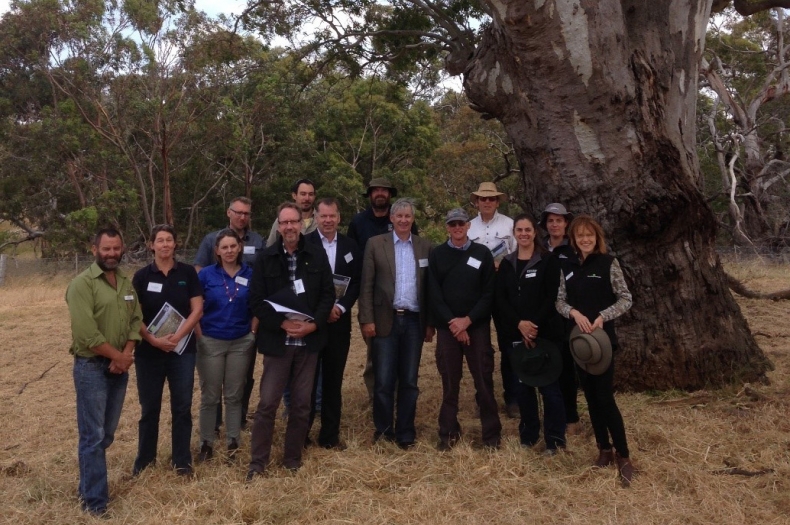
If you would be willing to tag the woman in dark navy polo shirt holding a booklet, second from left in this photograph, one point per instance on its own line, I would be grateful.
(166, 280)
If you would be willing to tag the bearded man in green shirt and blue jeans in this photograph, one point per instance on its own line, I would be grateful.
(105, 326)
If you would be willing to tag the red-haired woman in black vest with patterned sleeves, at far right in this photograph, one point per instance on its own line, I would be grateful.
(593, 293)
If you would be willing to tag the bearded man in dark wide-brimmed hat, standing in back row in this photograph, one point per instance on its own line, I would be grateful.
(373, 220)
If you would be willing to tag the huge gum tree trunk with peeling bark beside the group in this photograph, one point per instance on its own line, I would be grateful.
(598, 97)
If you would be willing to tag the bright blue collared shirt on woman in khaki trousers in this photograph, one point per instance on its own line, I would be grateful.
(226, 313)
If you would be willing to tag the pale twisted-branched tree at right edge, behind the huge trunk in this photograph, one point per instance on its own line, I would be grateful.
(745, 116)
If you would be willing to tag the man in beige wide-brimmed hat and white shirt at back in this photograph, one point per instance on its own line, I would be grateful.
(495, 231)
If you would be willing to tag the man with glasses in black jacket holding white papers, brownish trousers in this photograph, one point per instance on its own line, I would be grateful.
(289, 346)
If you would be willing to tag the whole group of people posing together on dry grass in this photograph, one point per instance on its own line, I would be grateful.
(290, 298)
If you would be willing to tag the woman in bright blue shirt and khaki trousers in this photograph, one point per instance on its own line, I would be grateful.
(225, 347)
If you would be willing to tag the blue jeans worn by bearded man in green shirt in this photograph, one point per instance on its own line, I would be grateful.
(100, 397)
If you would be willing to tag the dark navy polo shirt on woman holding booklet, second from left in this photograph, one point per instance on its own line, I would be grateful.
(178, 287)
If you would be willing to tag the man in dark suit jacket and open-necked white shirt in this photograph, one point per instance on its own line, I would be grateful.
(346, 262)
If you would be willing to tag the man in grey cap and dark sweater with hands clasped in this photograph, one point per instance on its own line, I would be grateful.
(461, 295)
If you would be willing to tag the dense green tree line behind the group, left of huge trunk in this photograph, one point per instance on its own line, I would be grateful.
(135, 114)
